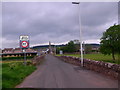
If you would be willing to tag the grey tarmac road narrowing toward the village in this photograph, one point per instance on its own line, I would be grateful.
(54, 73)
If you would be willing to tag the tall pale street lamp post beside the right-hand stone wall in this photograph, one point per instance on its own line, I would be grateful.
(81, 49)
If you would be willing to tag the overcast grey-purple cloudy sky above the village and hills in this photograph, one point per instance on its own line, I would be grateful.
(57, 22)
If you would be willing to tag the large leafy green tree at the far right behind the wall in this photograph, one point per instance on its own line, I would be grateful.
(110, 41)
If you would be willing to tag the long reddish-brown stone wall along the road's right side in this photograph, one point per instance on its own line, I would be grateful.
(108, 69)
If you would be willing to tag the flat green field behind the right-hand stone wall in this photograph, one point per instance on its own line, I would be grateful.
(97, 57)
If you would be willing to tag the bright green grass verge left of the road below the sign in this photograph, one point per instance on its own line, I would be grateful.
(14, 73)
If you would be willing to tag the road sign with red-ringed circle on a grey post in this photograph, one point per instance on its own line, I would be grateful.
(24, 44)
